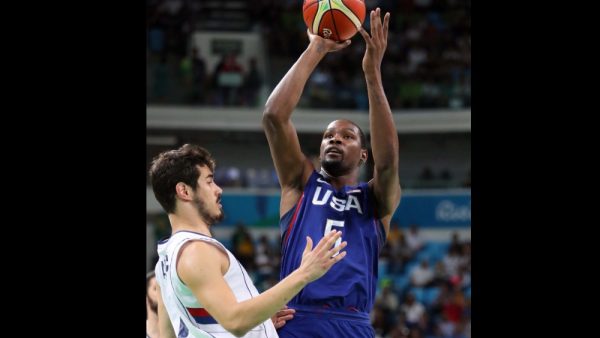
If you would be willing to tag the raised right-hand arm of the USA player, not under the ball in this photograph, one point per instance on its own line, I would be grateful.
(384, 137)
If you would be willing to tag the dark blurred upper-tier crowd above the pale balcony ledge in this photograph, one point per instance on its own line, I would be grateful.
(427, 63)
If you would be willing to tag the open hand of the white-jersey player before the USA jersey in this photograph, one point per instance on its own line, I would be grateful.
(317, 262)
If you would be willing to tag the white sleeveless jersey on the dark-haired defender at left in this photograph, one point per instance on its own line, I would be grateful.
(188, 317)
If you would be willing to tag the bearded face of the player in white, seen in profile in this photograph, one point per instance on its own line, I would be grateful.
(208, 197)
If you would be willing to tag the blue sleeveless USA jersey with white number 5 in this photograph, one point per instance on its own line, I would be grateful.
(349, 286)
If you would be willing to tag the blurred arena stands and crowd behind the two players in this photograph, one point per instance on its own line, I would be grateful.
(210, 66)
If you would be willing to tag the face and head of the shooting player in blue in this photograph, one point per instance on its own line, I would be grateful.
(340, 148)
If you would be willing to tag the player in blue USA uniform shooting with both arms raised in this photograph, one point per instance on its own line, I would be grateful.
(317, 201)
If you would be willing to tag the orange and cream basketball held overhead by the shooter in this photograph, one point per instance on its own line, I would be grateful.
(337, 20)
